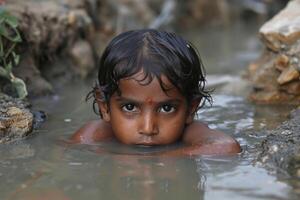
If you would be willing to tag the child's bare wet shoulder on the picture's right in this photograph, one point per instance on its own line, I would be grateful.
(200, 139)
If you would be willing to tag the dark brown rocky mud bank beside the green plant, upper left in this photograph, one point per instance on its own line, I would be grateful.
(50, 30)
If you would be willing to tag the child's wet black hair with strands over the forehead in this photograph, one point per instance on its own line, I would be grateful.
(156, 53)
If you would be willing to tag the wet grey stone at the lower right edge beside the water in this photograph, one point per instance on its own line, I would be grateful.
(280, 151)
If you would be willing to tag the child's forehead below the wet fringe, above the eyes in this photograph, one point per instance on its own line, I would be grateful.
(143, 89)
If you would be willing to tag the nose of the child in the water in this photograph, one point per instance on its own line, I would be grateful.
(148, 125)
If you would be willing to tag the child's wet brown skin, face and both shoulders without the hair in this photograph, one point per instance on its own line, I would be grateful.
(143, 114)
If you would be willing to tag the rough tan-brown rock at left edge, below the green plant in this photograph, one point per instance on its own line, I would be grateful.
(16, 121)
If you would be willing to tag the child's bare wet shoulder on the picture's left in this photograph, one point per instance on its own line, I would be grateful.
(91, 132)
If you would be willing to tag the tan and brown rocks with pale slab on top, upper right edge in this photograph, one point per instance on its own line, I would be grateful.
(275, 76)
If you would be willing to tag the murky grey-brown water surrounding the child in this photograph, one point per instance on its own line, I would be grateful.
(41, 167)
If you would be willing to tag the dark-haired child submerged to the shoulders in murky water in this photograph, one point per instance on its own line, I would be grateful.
(151, 84)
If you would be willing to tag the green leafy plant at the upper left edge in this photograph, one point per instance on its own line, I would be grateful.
(9, 37)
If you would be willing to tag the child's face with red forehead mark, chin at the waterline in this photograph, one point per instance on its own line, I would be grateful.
(145, 114)
